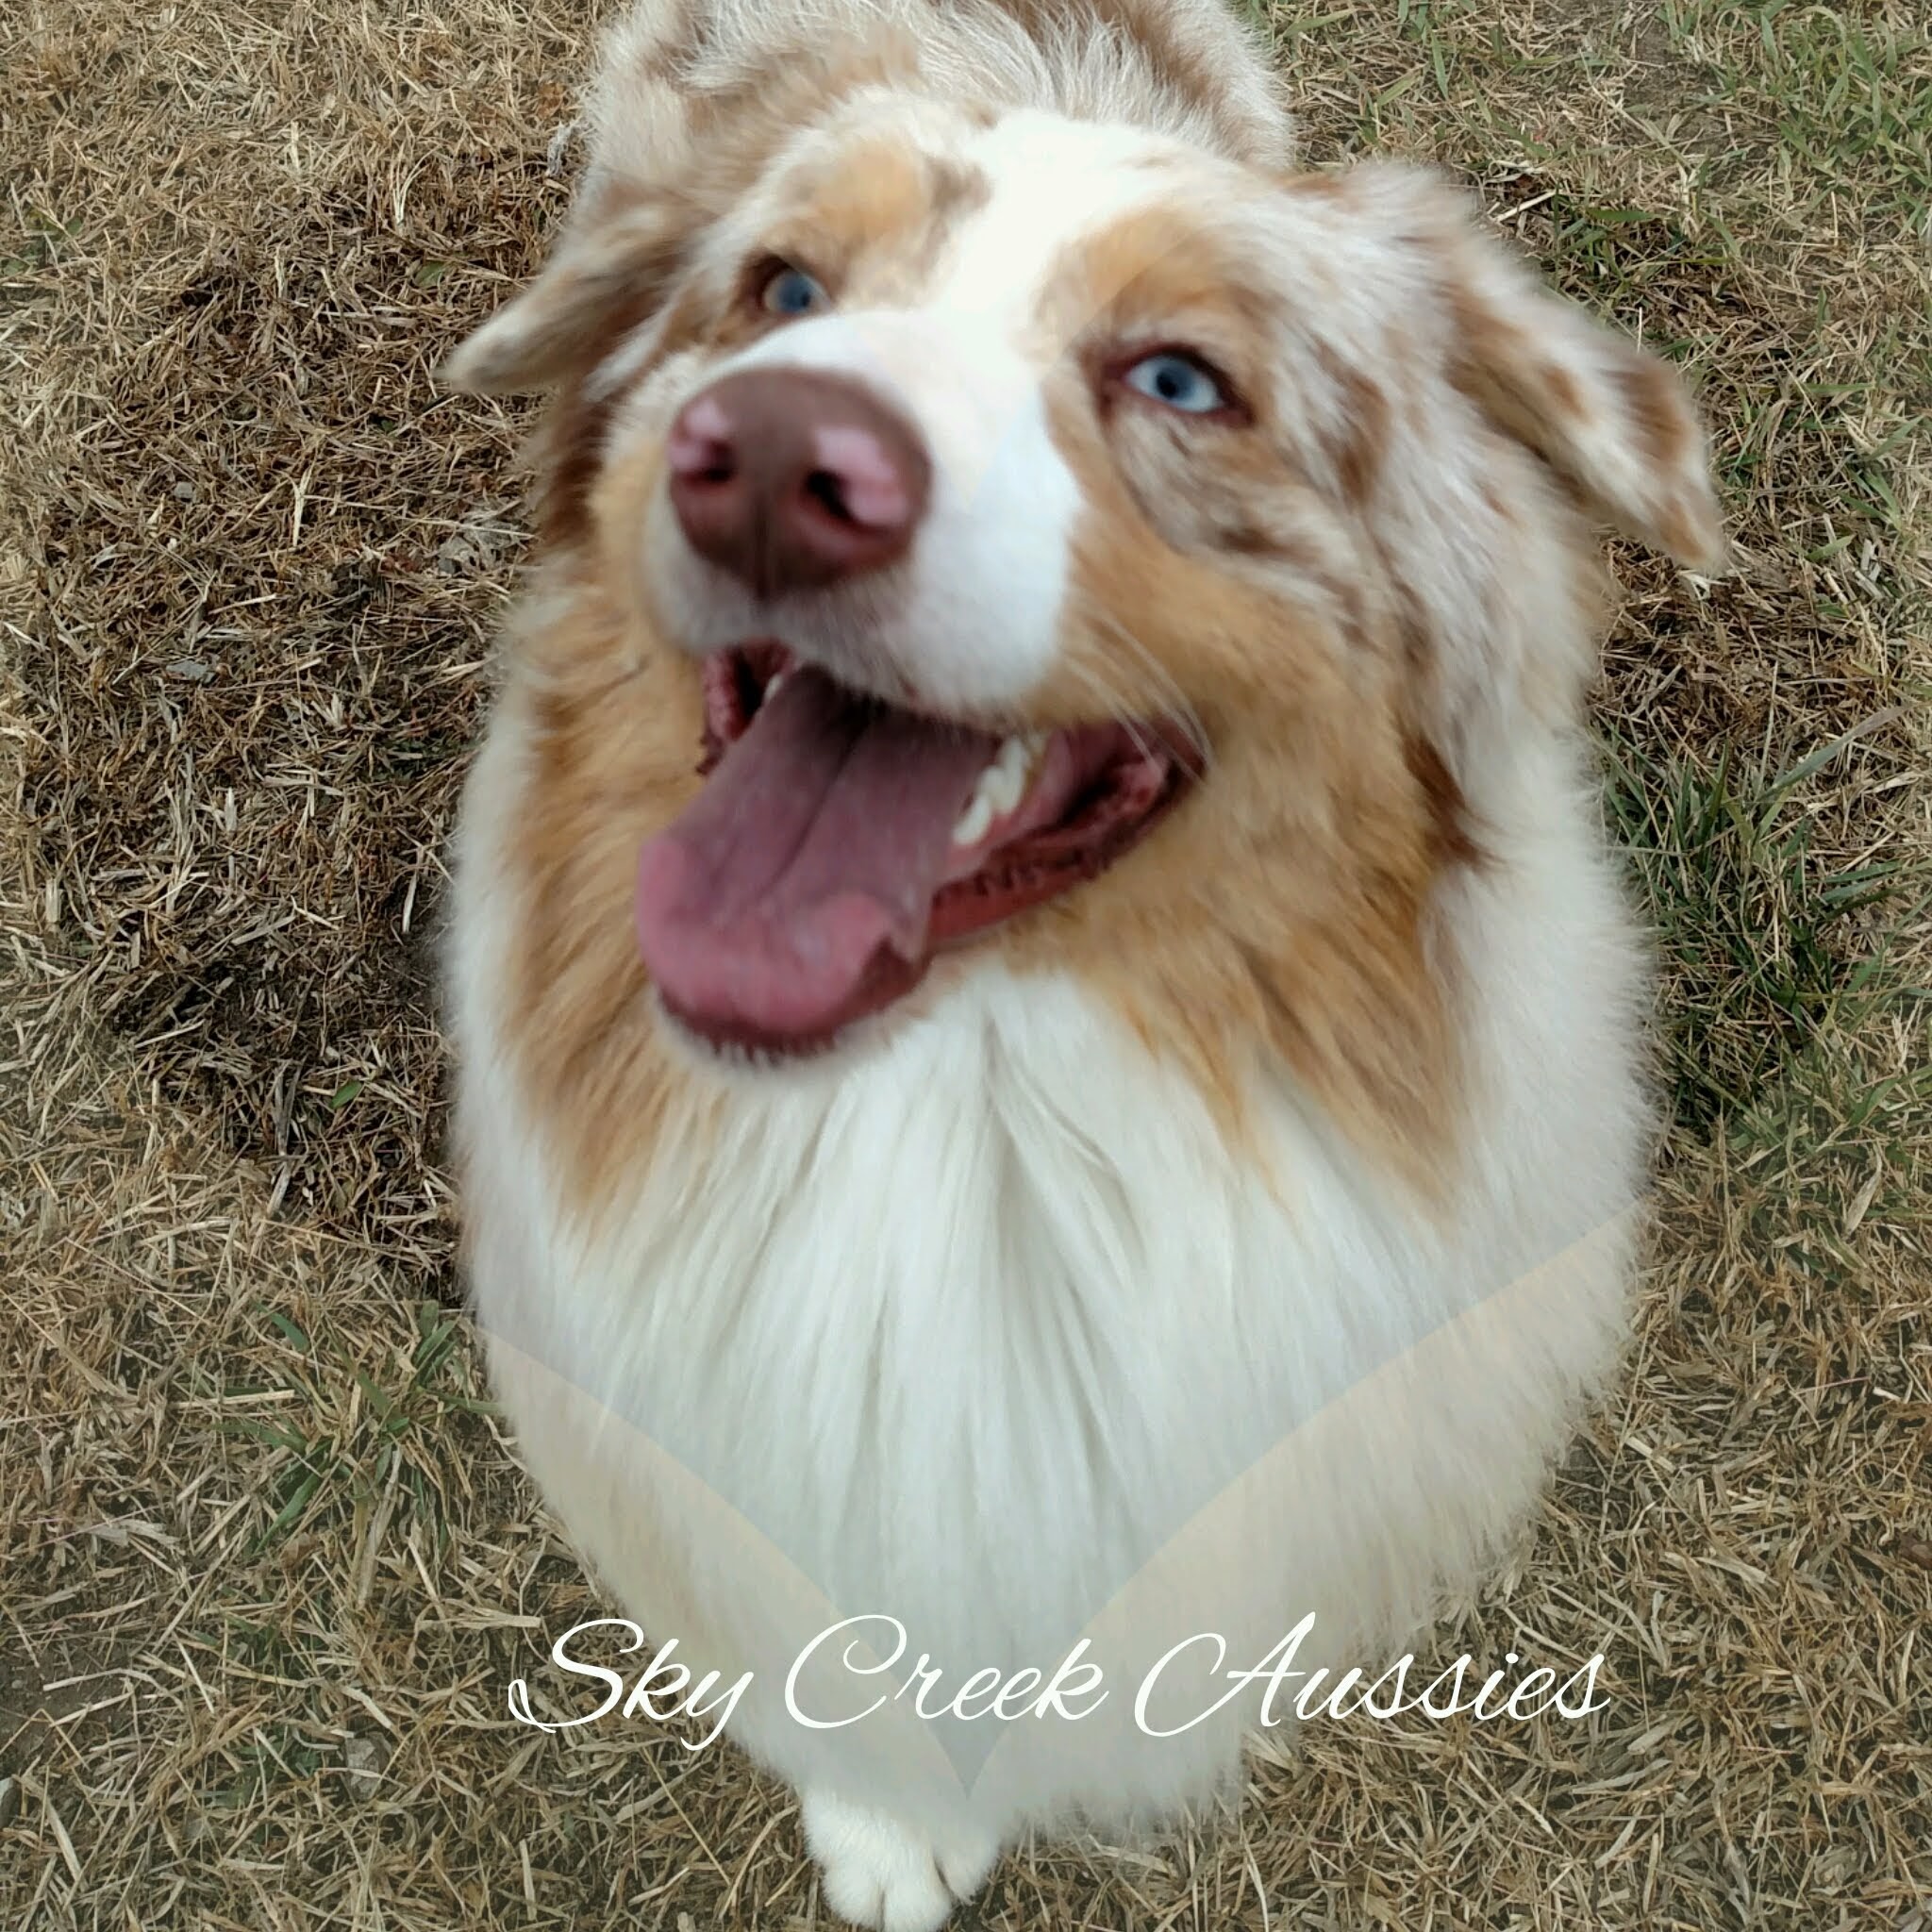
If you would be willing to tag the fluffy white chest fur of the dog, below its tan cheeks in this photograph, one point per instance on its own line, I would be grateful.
(996, 1334)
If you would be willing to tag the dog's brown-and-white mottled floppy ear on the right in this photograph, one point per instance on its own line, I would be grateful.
(1616, 422)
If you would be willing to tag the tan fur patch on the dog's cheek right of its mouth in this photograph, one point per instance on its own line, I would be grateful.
(1288, 897)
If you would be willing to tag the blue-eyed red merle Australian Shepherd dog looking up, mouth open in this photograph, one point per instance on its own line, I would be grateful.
(1048, 1048)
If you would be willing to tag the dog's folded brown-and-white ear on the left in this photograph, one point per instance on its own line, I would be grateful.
(604, 281)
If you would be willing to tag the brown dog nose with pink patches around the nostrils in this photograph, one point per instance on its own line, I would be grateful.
(793, 478)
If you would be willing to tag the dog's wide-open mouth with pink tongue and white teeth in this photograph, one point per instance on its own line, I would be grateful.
(839, 843)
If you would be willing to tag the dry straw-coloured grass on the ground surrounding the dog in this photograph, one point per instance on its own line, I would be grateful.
(266, 1560)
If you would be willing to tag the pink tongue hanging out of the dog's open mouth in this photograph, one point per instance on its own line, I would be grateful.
(795, 894)
